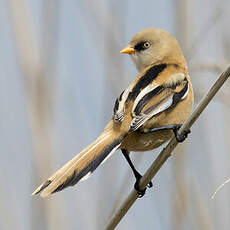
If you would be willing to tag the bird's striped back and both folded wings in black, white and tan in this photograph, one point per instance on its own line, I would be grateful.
(160, 88)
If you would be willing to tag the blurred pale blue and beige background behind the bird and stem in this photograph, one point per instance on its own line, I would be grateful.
(60, 73)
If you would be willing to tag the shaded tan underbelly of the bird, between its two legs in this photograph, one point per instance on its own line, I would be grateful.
(137, 141)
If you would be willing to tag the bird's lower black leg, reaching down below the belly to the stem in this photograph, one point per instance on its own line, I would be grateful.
(138, 176)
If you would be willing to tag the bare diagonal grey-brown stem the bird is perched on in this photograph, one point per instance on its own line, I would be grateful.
(166, 152)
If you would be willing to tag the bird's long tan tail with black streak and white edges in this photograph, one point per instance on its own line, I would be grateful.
(82, 165)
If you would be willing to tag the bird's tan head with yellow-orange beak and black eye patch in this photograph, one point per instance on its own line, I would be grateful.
(153, 45)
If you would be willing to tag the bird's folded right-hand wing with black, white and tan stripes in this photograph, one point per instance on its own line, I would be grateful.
(156, 98)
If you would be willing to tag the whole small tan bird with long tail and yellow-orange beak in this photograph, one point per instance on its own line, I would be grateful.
(146, 114)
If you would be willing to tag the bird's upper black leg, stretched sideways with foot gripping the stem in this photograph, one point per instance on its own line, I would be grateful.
(174, 127)
